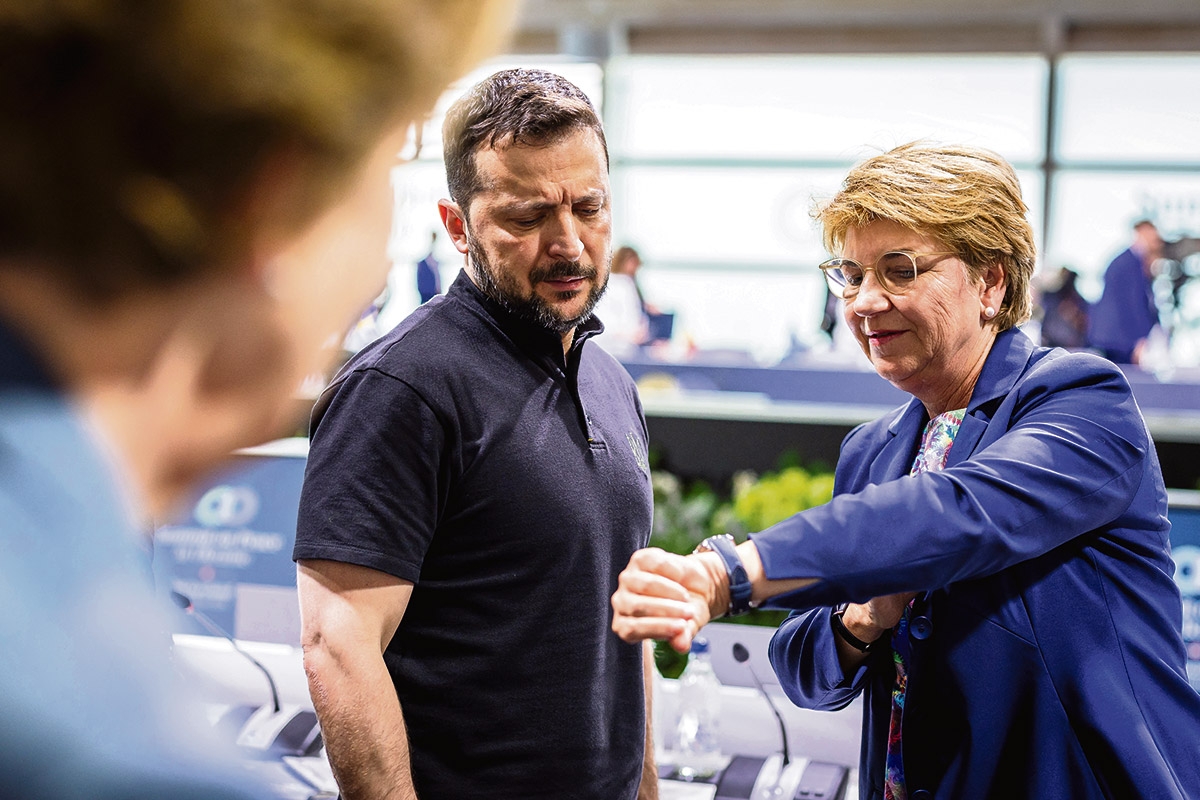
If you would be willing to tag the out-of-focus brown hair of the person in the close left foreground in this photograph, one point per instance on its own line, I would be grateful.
(134, 133)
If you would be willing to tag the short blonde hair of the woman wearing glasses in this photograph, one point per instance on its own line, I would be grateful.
(968, 199)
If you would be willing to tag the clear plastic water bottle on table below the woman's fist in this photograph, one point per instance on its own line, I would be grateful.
(697, 742)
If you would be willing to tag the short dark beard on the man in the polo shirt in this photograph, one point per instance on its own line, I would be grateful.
(530, 305)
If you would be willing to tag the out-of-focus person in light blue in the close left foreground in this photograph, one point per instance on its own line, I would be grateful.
(194, 208)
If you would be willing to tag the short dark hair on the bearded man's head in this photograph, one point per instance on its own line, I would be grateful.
(529, 107)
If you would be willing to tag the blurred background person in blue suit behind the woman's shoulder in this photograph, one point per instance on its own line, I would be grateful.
(1120, 323)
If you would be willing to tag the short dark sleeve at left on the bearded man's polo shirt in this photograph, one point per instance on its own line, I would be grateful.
(373, 485)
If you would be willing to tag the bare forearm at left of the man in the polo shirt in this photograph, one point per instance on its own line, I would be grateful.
(362, 725)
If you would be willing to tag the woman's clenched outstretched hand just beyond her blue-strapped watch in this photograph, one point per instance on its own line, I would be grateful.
(665, 597)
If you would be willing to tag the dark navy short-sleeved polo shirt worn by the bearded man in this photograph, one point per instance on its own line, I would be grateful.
(464, 453)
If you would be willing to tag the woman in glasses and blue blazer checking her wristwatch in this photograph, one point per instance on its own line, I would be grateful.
(993, 574)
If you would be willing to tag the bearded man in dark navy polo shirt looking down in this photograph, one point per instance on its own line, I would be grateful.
(477, 480)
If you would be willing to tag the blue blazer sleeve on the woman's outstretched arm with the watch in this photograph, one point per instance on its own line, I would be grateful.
(1059, 455)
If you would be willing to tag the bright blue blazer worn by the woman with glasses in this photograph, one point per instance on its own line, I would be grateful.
(1047, 657)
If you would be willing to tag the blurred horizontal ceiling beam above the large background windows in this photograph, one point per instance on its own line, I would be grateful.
(599, 28)
